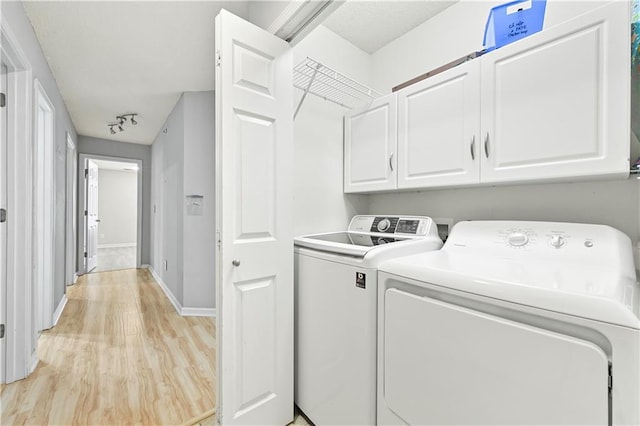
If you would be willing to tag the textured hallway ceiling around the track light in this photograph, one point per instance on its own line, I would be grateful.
(120, 57)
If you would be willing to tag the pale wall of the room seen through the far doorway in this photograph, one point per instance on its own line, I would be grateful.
(117, 207)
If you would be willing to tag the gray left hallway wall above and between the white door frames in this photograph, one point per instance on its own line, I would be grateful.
(14, 16)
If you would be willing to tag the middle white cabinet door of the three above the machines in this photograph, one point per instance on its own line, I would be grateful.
(438, 129)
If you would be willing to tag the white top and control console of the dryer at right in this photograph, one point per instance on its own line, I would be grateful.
(589, 274)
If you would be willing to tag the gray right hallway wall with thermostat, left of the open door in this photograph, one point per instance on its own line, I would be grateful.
(183, 164)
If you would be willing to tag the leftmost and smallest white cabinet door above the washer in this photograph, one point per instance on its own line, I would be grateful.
(370, 146)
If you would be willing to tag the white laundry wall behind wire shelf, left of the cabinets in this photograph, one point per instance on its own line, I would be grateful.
(319, 202)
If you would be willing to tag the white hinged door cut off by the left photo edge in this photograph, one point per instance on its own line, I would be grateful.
(3, 223)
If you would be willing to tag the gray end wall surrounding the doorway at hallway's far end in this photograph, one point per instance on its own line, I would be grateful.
(96, 146)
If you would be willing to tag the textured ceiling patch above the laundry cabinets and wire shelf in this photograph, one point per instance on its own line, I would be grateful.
(370, 24)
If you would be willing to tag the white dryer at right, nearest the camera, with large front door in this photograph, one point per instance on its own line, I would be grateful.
(511, 323)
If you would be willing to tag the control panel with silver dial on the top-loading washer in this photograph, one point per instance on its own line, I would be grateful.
(397, 225)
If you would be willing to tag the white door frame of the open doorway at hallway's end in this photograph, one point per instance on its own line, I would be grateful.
(82, 199)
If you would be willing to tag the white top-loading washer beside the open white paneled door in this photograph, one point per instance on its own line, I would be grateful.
(336, 301)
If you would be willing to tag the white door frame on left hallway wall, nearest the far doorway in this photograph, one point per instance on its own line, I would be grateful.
(71, 190)
